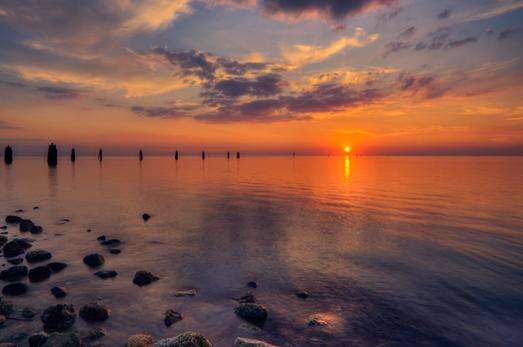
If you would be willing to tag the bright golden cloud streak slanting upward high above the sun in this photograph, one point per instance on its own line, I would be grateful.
(300, 55)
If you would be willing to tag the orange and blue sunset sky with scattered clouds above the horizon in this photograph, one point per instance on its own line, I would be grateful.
(262, 76)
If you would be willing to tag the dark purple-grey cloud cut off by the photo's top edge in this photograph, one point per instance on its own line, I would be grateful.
(334, 9)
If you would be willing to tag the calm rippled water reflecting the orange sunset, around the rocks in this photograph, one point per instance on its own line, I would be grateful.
(394, 251)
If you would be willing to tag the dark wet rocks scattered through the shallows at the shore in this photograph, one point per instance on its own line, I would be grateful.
(58, 321)
